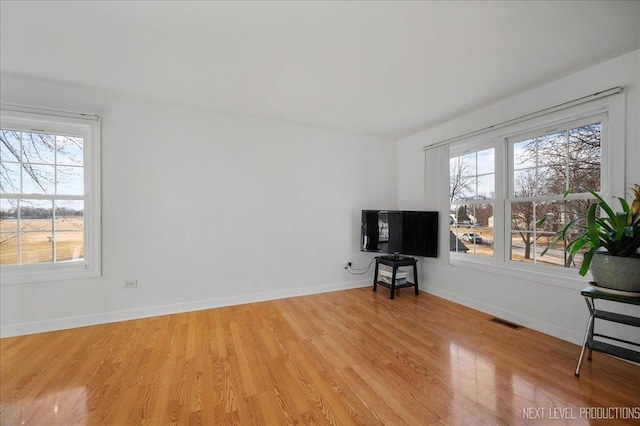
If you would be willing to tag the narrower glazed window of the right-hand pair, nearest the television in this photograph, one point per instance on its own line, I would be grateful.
(472, 197)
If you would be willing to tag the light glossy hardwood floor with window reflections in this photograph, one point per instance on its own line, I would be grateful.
(348, 357)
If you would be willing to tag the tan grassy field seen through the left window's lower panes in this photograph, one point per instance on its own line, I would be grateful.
(37, 240)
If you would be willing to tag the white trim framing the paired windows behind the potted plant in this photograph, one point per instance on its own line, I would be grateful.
(613, 182)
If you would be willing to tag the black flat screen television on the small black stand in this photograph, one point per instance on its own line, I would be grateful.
(412, 233)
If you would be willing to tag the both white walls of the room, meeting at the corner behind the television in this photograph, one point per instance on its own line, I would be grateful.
(208, 209)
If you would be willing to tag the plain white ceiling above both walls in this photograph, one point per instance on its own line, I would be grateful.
(387, 69)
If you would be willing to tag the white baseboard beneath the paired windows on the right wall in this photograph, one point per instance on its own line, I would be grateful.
(532, 323)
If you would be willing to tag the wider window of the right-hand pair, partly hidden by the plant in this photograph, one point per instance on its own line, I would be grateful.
(543, 167)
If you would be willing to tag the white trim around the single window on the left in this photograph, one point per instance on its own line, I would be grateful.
(72, 124)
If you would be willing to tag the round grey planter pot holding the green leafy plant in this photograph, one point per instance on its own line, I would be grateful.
(615, 272)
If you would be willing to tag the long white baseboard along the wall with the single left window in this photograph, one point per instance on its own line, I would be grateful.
(152, 311)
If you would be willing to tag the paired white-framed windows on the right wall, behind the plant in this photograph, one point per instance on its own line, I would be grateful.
(504, 181)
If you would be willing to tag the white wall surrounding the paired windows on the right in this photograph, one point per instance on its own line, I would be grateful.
(534, 301)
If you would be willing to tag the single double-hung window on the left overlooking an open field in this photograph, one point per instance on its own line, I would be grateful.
(49, 196)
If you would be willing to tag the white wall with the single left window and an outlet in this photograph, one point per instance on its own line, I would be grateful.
(206, 209)
